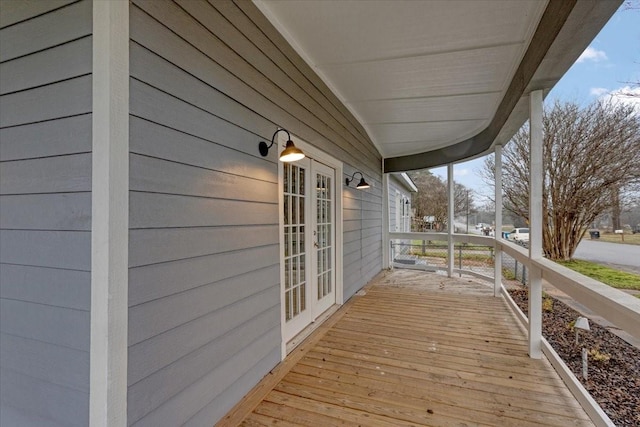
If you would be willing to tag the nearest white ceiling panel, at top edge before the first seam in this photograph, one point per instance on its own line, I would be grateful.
(359, 30)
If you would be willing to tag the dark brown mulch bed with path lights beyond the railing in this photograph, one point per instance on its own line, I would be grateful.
(613, 383)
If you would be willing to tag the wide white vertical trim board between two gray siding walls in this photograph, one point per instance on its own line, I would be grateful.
(110, 215)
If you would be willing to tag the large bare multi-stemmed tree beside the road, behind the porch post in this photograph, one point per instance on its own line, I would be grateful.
(588, 154)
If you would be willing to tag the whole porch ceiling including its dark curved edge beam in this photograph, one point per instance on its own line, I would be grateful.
(429, 79)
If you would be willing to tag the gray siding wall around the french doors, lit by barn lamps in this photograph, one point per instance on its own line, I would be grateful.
(204, 291)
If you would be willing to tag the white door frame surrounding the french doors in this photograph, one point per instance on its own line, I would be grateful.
(322, 157)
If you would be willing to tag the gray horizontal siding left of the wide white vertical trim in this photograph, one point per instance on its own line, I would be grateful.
(45, 212)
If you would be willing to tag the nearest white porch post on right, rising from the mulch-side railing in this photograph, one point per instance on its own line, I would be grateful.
(535, 224)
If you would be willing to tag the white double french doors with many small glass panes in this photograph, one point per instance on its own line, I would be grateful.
(309, 276)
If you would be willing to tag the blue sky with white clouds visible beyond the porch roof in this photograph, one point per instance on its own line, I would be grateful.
(607, 68)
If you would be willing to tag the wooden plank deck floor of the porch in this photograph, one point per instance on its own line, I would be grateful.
(417, 349)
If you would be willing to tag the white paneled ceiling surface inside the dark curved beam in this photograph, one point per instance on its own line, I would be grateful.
(418, 75)
